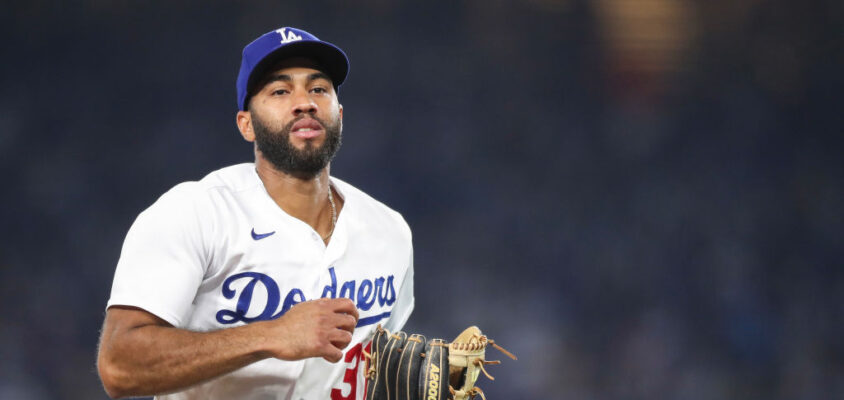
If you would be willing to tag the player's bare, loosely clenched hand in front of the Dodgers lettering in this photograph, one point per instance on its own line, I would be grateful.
(317, 328)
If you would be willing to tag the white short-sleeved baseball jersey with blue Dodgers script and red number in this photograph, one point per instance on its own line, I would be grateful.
(220, 253)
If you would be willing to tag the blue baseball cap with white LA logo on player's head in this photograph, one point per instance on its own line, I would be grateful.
(284, 43)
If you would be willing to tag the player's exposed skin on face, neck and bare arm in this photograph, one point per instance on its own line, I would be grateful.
(141, 354)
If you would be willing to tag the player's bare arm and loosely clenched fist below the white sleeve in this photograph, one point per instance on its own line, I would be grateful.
(141, 354)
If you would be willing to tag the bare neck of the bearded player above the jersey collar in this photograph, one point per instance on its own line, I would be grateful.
(304, 199)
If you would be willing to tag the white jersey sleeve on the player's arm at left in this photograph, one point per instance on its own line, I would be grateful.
(163, 259)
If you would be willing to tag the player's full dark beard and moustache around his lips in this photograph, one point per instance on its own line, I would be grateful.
(304, 164)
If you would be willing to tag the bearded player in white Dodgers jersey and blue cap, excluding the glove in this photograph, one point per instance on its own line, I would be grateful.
(264, 280)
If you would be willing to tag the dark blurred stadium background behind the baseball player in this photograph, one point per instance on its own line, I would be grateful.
(642, 199)
